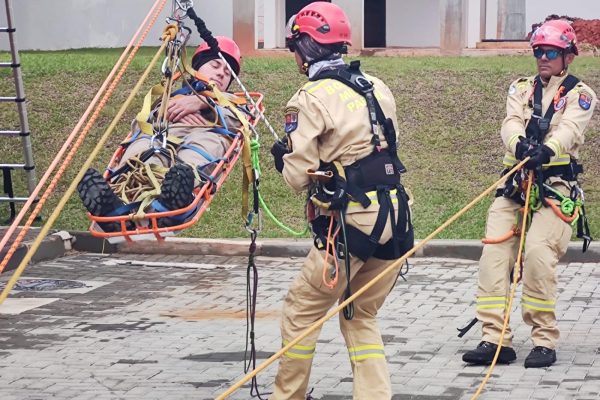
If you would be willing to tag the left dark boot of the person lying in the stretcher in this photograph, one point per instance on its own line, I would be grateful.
(98, 198)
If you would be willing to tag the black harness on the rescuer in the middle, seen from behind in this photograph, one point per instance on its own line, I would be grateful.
(380, 171)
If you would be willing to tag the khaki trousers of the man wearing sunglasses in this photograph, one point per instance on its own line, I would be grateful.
(546, 241)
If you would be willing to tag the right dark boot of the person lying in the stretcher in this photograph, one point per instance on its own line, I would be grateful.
(176, 192)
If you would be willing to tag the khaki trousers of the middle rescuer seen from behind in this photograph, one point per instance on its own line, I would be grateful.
(308, 300)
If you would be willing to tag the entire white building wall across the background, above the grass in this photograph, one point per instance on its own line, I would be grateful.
(66, 24)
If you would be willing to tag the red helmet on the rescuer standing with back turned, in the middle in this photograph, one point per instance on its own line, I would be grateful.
(324, 22)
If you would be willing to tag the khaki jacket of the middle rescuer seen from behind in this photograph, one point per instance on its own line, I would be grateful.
(332, 124)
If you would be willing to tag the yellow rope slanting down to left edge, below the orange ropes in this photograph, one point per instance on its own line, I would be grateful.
(72, 187)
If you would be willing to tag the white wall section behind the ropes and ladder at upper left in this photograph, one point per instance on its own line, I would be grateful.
(67, 24)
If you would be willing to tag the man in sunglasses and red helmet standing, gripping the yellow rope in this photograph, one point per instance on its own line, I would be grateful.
(546, 119)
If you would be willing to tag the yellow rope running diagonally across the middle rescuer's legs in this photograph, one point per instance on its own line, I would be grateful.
(363, 289)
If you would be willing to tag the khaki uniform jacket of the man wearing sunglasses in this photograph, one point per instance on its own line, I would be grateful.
(566, 134)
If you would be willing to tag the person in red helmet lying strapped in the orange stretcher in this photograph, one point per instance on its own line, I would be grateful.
(200, 132)
